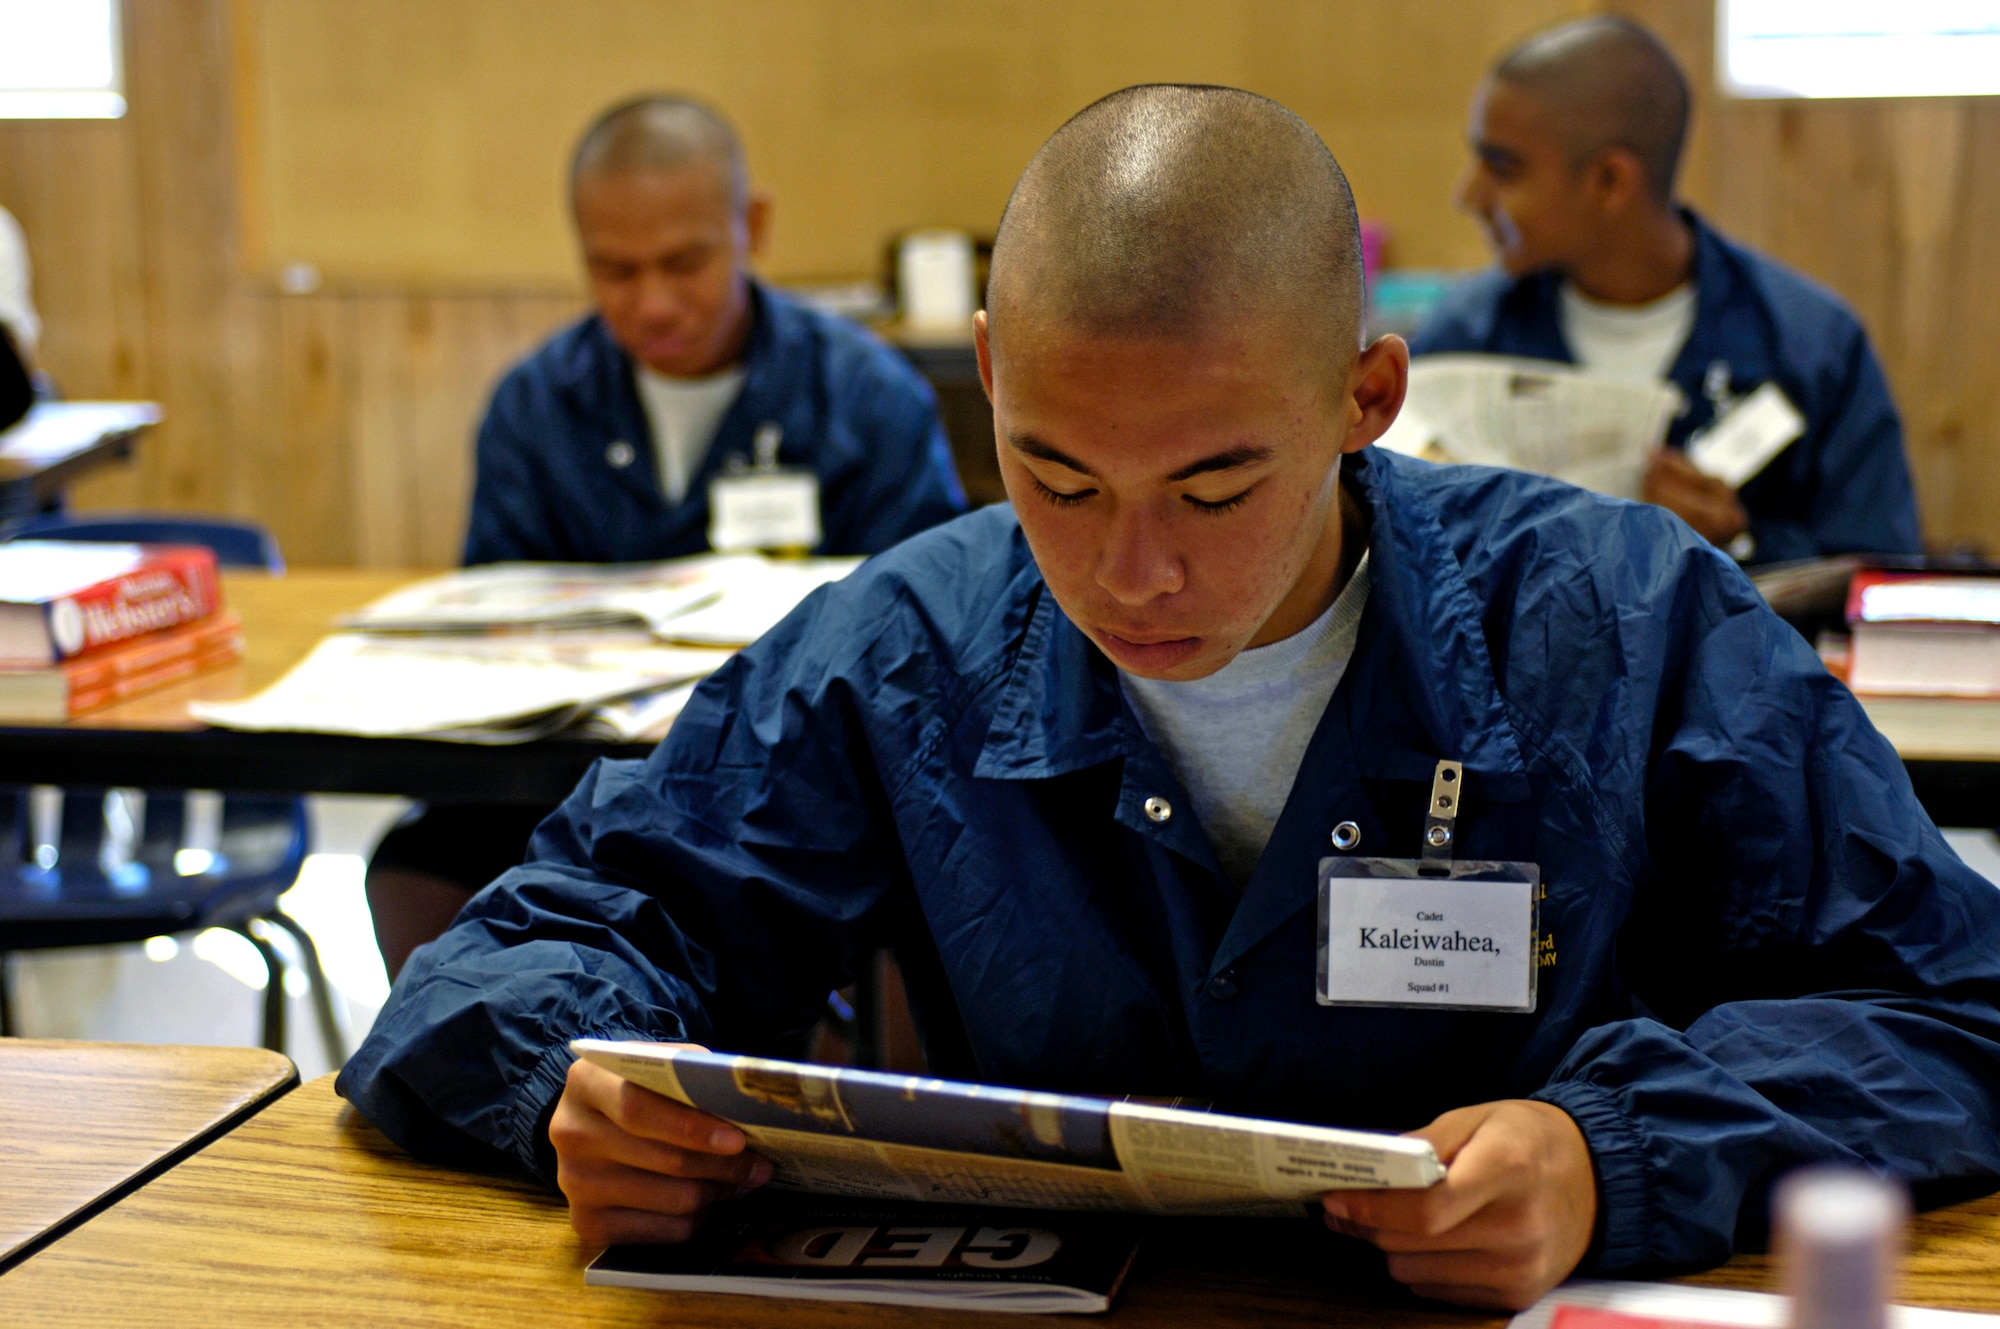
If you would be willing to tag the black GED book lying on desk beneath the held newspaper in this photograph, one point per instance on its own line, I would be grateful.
(889, 1254)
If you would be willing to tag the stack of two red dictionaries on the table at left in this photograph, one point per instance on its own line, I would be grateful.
(87, 625)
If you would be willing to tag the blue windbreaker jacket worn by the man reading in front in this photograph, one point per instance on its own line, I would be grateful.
(1763, 952)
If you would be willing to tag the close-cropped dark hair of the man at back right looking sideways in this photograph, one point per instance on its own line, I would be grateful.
(1607, 83)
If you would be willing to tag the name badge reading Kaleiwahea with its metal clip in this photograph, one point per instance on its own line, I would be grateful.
(1429, 932)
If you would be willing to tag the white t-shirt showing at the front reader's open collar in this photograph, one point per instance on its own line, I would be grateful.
(1237, 738)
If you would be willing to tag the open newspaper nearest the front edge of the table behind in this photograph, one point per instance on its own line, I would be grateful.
(469, 690)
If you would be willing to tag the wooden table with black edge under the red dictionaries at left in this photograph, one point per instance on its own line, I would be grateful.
(153, 742)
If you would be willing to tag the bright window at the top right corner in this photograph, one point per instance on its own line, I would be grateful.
(1859, 47)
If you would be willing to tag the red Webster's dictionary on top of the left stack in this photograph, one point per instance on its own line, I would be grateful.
(65, 599)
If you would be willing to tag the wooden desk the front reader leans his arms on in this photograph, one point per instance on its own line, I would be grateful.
(307, 1214)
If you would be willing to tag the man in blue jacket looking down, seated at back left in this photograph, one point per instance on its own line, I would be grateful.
(603, 445)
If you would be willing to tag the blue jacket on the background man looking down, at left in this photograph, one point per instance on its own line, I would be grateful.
(567, 469)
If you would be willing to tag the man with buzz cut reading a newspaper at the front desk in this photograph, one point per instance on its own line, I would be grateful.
(1089, 764)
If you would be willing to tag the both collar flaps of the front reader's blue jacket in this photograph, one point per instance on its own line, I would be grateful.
(1061, 708)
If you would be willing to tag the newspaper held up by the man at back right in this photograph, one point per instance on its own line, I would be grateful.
(1535, 415)
